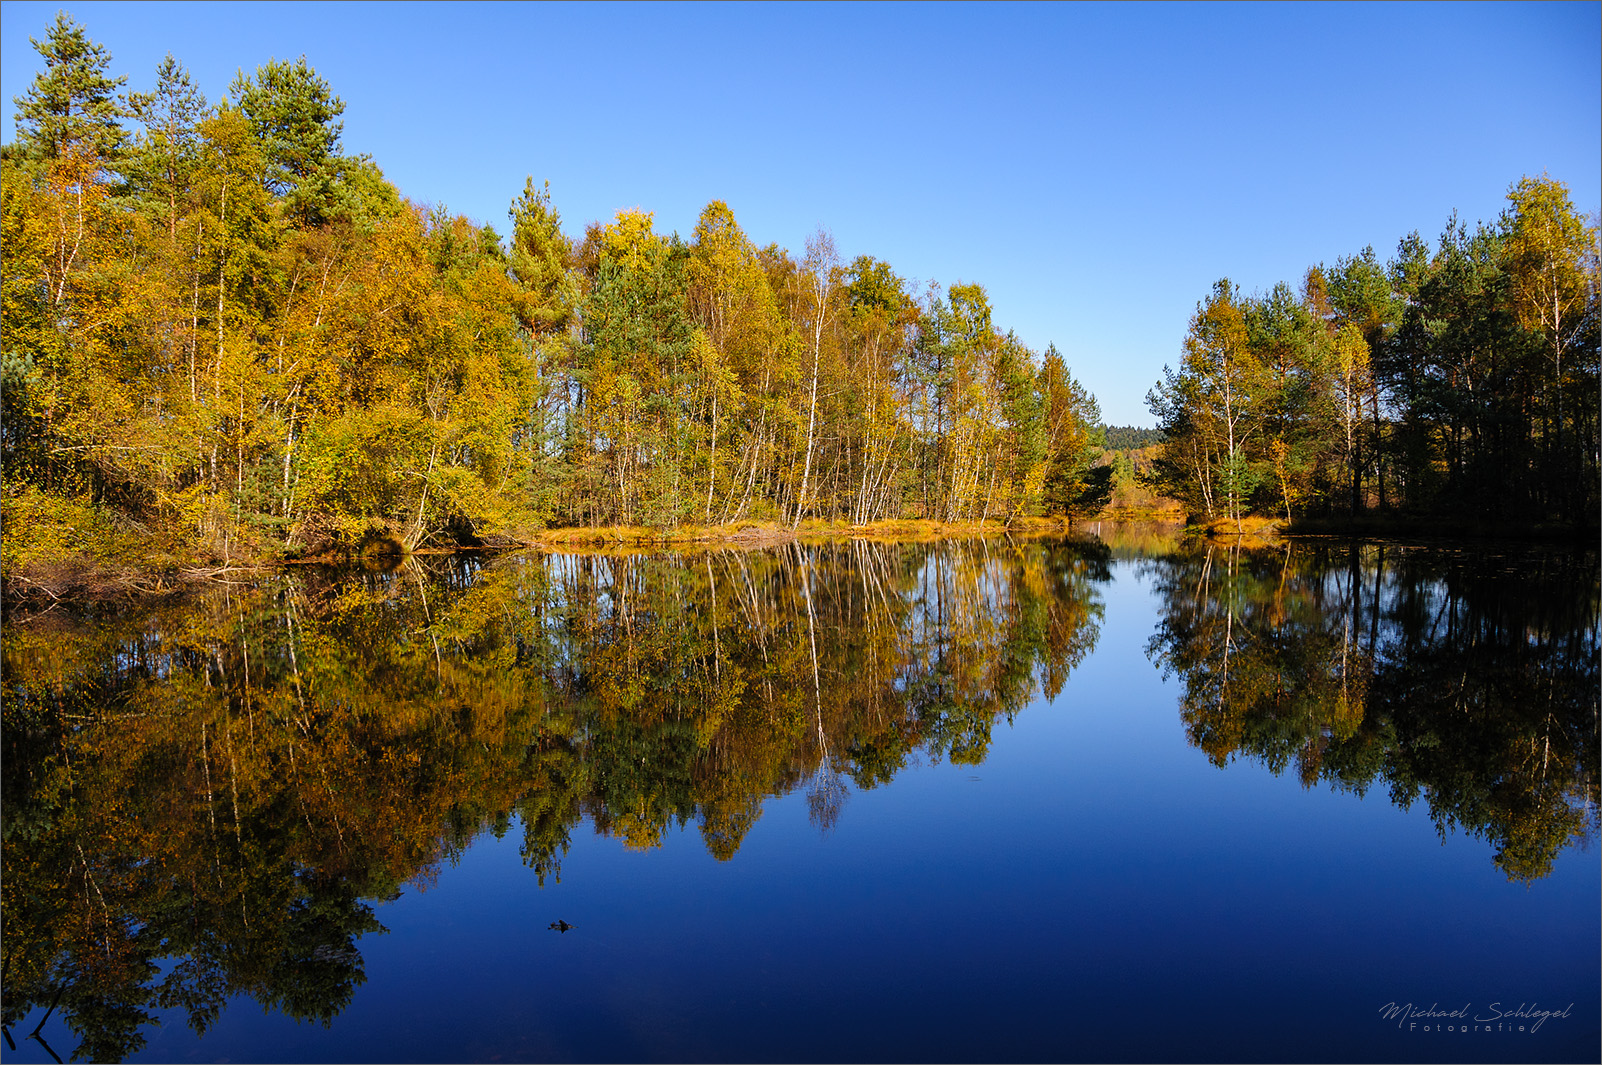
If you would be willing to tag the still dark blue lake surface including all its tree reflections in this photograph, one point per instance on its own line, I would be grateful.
(978, 802)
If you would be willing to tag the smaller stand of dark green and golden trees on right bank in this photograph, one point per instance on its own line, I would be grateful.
(1459, 380)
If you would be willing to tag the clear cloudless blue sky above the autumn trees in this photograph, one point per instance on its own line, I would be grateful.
(1095, 167)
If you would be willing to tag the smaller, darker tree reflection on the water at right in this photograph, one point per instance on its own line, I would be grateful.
(1468, 681)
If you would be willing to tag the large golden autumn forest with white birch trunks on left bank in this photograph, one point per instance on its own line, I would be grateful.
(230, 339)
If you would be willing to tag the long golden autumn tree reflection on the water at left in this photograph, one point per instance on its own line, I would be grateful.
(204, 800)
